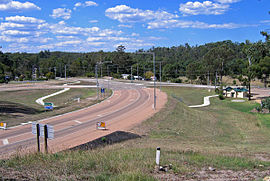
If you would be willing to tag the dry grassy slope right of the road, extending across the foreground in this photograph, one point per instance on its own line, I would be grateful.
(224, 135)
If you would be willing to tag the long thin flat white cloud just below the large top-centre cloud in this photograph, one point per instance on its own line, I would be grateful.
(191, 24)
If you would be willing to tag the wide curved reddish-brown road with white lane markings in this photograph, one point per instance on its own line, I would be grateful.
(129, 105)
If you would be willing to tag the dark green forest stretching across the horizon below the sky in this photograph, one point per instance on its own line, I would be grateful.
(201, 64)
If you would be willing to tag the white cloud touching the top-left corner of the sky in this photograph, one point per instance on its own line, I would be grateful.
(9, 5)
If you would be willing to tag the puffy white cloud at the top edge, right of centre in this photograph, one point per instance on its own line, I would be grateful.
(206, 7)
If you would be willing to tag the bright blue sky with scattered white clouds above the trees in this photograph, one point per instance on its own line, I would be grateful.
(84, 26)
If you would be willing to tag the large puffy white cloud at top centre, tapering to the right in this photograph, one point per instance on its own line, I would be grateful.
(126, 14)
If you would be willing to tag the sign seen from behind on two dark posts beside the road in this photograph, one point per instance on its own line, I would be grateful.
(45, 131)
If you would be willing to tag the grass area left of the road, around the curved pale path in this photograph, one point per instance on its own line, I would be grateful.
(20, 106)
